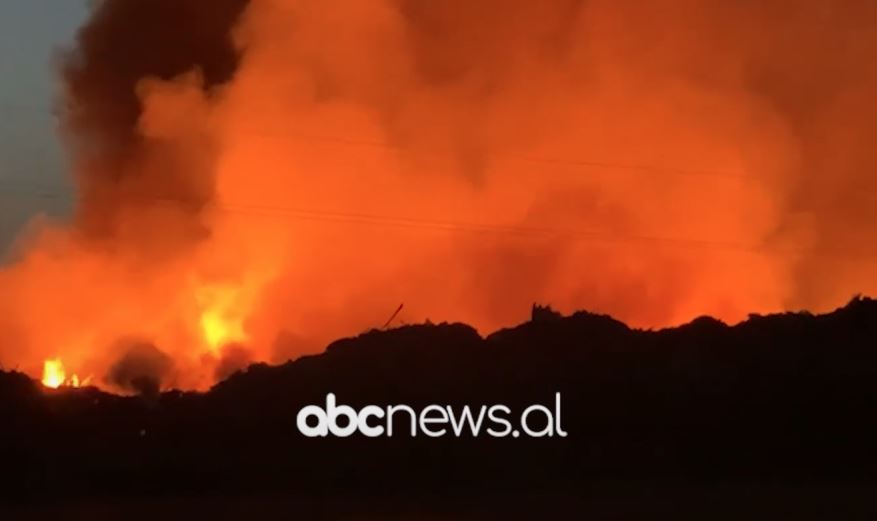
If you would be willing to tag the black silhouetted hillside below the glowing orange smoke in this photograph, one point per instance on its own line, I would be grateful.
(775, 418)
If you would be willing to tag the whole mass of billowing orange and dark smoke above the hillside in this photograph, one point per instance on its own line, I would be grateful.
(272, 174)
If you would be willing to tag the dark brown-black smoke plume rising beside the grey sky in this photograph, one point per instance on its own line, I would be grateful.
(124, 42)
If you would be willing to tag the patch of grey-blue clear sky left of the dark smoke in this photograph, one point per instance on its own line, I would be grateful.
(32, 174)
